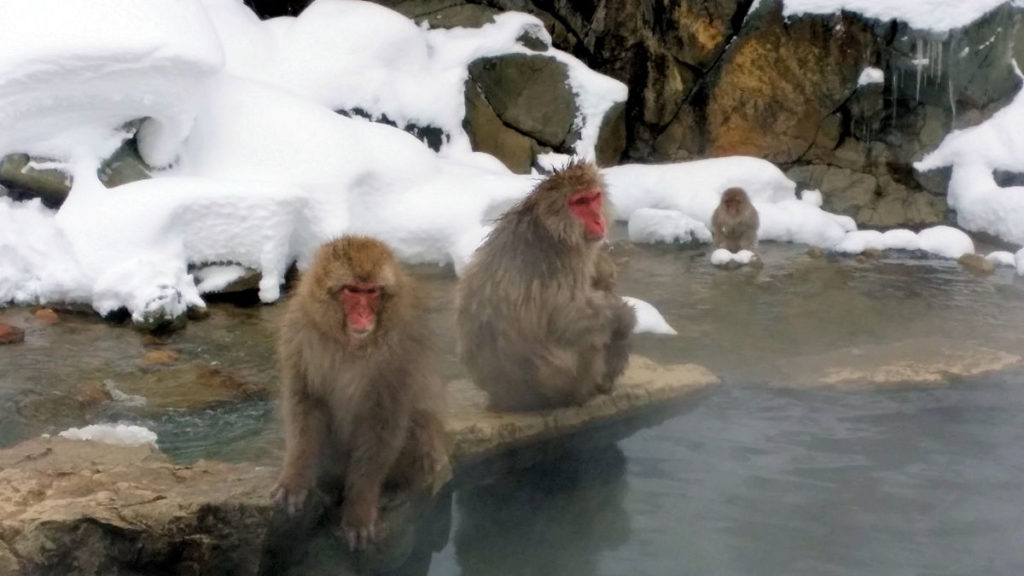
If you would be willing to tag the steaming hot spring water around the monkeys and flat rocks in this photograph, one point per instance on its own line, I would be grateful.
(765, 475)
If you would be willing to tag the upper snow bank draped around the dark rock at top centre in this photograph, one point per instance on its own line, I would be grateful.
(353, 55)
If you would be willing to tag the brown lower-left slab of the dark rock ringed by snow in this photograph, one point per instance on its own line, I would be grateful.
(489, 134)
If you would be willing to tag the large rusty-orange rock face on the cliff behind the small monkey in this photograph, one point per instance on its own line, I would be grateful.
(782, 80)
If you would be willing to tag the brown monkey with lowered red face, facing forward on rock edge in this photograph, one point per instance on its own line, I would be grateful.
(362, 401)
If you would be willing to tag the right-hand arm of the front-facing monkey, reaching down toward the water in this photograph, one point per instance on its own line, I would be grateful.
(377, 440)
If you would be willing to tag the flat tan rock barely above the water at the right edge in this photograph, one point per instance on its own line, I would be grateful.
(909, 362)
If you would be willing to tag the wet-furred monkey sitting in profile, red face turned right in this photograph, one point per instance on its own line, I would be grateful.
(539, 322)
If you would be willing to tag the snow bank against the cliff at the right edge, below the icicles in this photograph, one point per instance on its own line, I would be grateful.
(974, 153)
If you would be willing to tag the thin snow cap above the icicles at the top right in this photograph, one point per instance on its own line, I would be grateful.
(938, 16)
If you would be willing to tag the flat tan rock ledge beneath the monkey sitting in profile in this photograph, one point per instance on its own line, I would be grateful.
(477, 433)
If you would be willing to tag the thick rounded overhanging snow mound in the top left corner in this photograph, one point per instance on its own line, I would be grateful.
(71, 73)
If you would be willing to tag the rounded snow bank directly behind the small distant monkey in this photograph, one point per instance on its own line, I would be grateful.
(695, 189)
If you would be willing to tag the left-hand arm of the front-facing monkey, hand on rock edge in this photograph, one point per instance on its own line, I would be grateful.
(306, 430)
